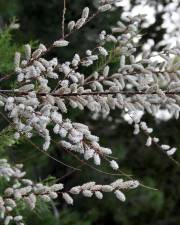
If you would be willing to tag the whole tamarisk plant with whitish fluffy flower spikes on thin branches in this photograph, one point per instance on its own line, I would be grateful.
(140, 84)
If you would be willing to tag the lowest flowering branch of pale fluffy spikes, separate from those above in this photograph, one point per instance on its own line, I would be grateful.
(22, 190)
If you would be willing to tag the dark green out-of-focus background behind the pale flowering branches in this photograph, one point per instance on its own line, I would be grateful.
(40, 21)
